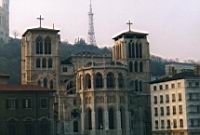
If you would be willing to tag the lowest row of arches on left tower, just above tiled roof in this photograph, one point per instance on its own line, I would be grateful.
(46, 83)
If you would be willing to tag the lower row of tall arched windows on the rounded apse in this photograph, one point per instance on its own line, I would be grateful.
(109, 119)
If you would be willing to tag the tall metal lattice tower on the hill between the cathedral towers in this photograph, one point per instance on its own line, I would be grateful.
(91, 33)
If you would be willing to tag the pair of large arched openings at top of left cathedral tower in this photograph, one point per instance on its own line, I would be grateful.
(43, 46)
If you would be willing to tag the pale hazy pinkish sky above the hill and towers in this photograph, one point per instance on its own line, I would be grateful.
(173, 25)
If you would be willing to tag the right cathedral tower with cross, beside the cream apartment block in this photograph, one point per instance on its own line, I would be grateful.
(131, 48)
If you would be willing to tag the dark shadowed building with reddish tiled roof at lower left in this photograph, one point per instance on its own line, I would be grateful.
(26, 110)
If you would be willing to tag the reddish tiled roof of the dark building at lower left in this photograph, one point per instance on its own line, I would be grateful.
(7, 87)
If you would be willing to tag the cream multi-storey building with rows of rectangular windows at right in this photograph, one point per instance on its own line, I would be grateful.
(175, 105)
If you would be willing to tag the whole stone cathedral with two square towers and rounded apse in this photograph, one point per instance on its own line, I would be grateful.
(96, 94)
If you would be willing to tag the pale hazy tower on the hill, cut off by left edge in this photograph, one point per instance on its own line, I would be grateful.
(4, 20)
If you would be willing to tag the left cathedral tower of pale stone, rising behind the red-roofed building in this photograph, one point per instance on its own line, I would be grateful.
(40, 57)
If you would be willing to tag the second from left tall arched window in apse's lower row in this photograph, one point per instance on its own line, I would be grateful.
(100, 118)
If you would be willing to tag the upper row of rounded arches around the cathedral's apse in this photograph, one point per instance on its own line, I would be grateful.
(101, 81)
